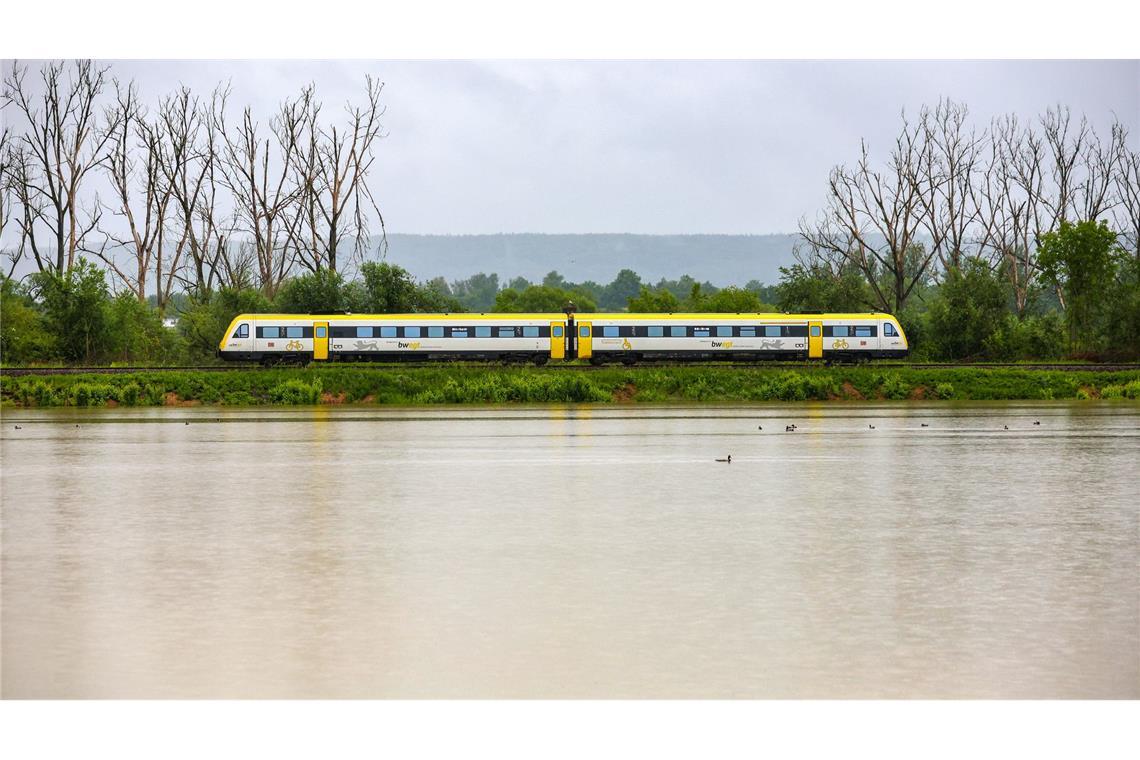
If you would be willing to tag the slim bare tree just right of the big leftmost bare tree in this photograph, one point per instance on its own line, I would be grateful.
(142, 197)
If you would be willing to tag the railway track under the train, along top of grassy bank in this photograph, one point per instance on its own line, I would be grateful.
(17, 372)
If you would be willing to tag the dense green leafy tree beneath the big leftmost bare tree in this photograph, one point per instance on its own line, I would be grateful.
(76, 306)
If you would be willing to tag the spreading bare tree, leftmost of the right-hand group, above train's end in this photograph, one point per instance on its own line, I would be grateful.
(874, 219)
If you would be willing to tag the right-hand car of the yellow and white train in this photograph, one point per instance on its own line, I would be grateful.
(739, 338)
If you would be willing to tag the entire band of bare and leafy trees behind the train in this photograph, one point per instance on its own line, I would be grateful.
(1014, 241)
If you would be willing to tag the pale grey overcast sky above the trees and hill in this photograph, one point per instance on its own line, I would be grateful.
(641, 146)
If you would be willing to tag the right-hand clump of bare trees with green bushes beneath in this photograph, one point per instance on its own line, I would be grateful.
(1041, 218)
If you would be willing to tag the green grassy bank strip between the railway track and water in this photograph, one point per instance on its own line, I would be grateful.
(488, 385)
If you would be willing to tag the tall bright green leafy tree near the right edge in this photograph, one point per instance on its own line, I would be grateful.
(1080, 261)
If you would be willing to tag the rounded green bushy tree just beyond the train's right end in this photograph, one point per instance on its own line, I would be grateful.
(971, 307)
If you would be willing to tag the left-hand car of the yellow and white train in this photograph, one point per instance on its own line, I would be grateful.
(299, 339)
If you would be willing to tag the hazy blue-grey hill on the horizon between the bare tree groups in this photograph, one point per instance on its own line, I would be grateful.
(720, 259)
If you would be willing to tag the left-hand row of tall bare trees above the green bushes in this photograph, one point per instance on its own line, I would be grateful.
(192, 195)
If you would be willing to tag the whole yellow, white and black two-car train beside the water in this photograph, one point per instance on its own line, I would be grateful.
(600, 338)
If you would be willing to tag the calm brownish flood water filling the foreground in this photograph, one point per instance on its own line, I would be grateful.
(573, 552)
